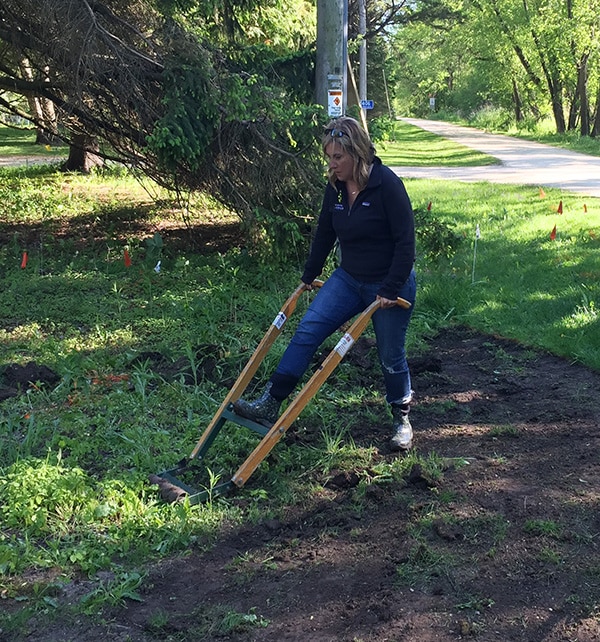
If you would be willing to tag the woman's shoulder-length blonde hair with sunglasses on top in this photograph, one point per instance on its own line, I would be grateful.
(348, 133)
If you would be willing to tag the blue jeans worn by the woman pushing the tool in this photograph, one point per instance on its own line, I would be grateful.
(340, 299)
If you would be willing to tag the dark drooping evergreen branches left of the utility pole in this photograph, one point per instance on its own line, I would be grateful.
(178, 96)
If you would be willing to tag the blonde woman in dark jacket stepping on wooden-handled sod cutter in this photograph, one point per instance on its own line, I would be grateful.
(367, 209)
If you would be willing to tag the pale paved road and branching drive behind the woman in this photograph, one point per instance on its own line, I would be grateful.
(522, 162)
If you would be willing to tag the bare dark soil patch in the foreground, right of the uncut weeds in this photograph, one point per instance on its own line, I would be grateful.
(504, 547)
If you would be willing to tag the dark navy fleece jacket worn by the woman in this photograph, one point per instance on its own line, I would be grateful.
(376, 235)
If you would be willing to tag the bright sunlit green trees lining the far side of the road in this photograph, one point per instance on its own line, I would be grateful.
(528, 60)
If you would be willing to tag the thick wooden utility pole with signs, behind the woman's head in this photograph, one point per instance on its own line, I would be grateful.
(332, 52)
